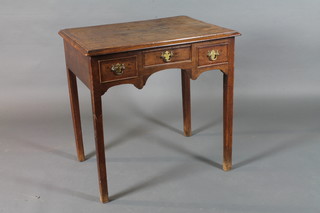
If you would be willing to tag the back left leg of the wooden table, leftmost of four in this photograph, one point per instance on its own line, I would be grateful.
(74, 102)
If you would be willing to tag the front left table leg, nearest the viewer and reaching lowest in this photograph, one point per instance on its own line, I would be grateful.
(100, 153)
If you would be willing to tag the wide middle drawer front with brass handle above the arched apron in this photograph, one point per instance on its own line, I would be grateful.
(166, 55)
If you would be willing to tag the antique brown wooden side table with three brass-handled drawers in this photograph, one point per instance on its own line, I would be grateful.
(128, 53)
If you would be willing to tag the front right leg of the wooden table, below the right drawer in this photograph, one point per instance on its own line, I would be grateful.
(227, 118)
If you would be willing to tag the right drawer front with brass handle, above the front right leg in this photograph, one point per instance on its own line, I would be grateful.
(212, 54)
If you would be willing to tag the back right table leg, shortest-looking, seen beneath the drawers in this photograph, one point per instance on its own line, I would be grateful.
(185, 79)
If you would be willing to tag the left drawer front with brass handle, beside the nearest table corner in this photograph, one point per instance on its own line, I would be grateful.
(118, 69)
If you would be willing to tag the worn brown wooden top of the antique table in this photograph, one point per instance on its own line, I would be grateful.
(111, 38)
